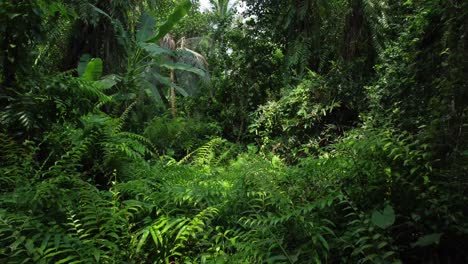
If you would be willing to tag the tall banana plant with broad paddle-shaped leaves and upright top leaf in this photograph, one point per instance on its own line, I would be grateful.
(156, 51)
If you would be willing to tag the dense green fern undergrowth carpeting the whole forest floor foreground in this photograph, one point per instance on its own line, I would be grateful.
(363, 201)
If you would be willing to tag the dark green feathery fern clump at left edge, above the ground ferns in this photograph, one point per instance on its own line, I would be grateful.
(41, 102)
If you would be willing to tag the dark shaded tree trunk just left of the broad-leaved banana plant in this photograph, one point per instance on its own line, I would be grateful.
(103, 31)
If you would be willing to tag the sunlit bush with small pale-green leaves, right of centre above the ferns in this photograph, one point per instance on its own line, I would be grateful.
(306, 118)
